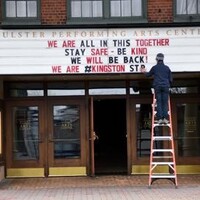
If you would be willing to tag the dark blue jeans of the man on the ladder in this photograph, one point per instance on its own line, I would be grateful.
(162, 95)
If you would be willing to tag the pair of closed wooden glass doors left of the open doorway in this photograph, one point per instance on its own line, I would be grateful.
(45, 138)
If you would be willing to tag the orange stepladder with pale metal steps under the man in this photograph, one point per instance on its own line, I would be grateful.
(162, 154)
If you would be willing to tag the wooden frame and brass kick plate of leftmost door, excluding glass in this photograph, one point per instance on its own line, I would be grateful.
(26, 167)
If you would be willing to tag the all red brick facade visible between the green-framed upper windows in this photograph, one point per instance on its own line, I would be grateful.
(55, 12)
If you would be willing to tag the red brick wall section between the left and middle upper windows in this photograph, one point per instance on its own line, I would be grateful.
(53, 12)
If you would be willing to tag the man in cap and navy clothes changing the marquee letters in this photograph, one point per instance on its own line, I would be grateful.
(162, 80)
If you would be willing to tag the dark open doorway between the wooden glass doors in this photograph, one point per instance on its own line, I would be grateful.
(110, 151)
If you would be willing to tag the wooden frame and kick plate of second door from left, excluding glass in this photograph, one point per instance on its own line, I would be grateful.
(70, 166)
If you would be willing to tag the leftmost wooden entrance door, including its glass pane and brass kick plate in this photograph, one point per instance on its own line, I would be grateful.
(24, 139)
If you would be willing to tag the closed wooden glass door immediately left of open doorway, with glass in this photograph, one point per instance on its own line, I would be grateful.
(66, 128)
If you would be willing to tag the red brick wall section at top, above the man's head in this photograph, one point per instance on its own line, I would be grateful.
(160, 11)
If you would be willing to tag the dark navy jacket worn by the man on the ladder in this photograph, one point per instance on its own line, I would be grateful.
(162, 75)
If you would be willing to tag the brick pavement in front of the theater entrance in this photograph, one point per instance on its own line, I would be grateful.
(100, 188)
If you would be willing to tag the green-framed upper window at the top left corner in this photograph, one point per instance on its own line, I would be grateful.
(23, 11)
